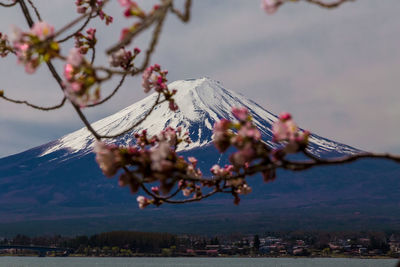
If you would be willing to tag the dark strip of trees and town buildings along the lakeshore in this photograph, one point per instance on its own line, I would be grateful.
(144, 244)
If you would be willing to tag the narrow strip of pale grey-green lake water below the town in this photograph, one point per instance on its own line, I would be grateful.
(189, 262)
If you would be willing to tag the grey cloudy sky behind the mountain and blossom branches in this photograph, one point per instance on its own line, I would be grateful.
(337, 71)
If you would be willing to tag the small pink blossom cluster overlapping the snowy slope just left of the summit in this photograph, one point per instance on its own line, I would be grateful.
(155, 78)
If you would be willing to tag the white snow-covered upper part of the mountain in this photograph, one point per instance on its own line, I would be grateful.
(201, 102)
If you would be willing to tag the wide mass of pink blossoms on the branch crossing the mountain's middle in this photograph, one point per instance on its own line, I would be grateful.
(154, 160)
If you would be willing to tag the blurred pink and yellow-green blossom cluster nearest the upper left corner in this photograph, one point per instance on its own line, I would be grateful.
(35, 46)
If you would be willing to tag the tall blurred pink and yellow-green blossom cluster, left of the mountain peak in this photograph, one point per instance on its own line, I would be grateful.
(79, 78)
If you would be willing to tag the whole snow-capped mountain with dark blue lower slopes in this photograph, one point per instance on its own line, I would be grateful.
(58, 187)
